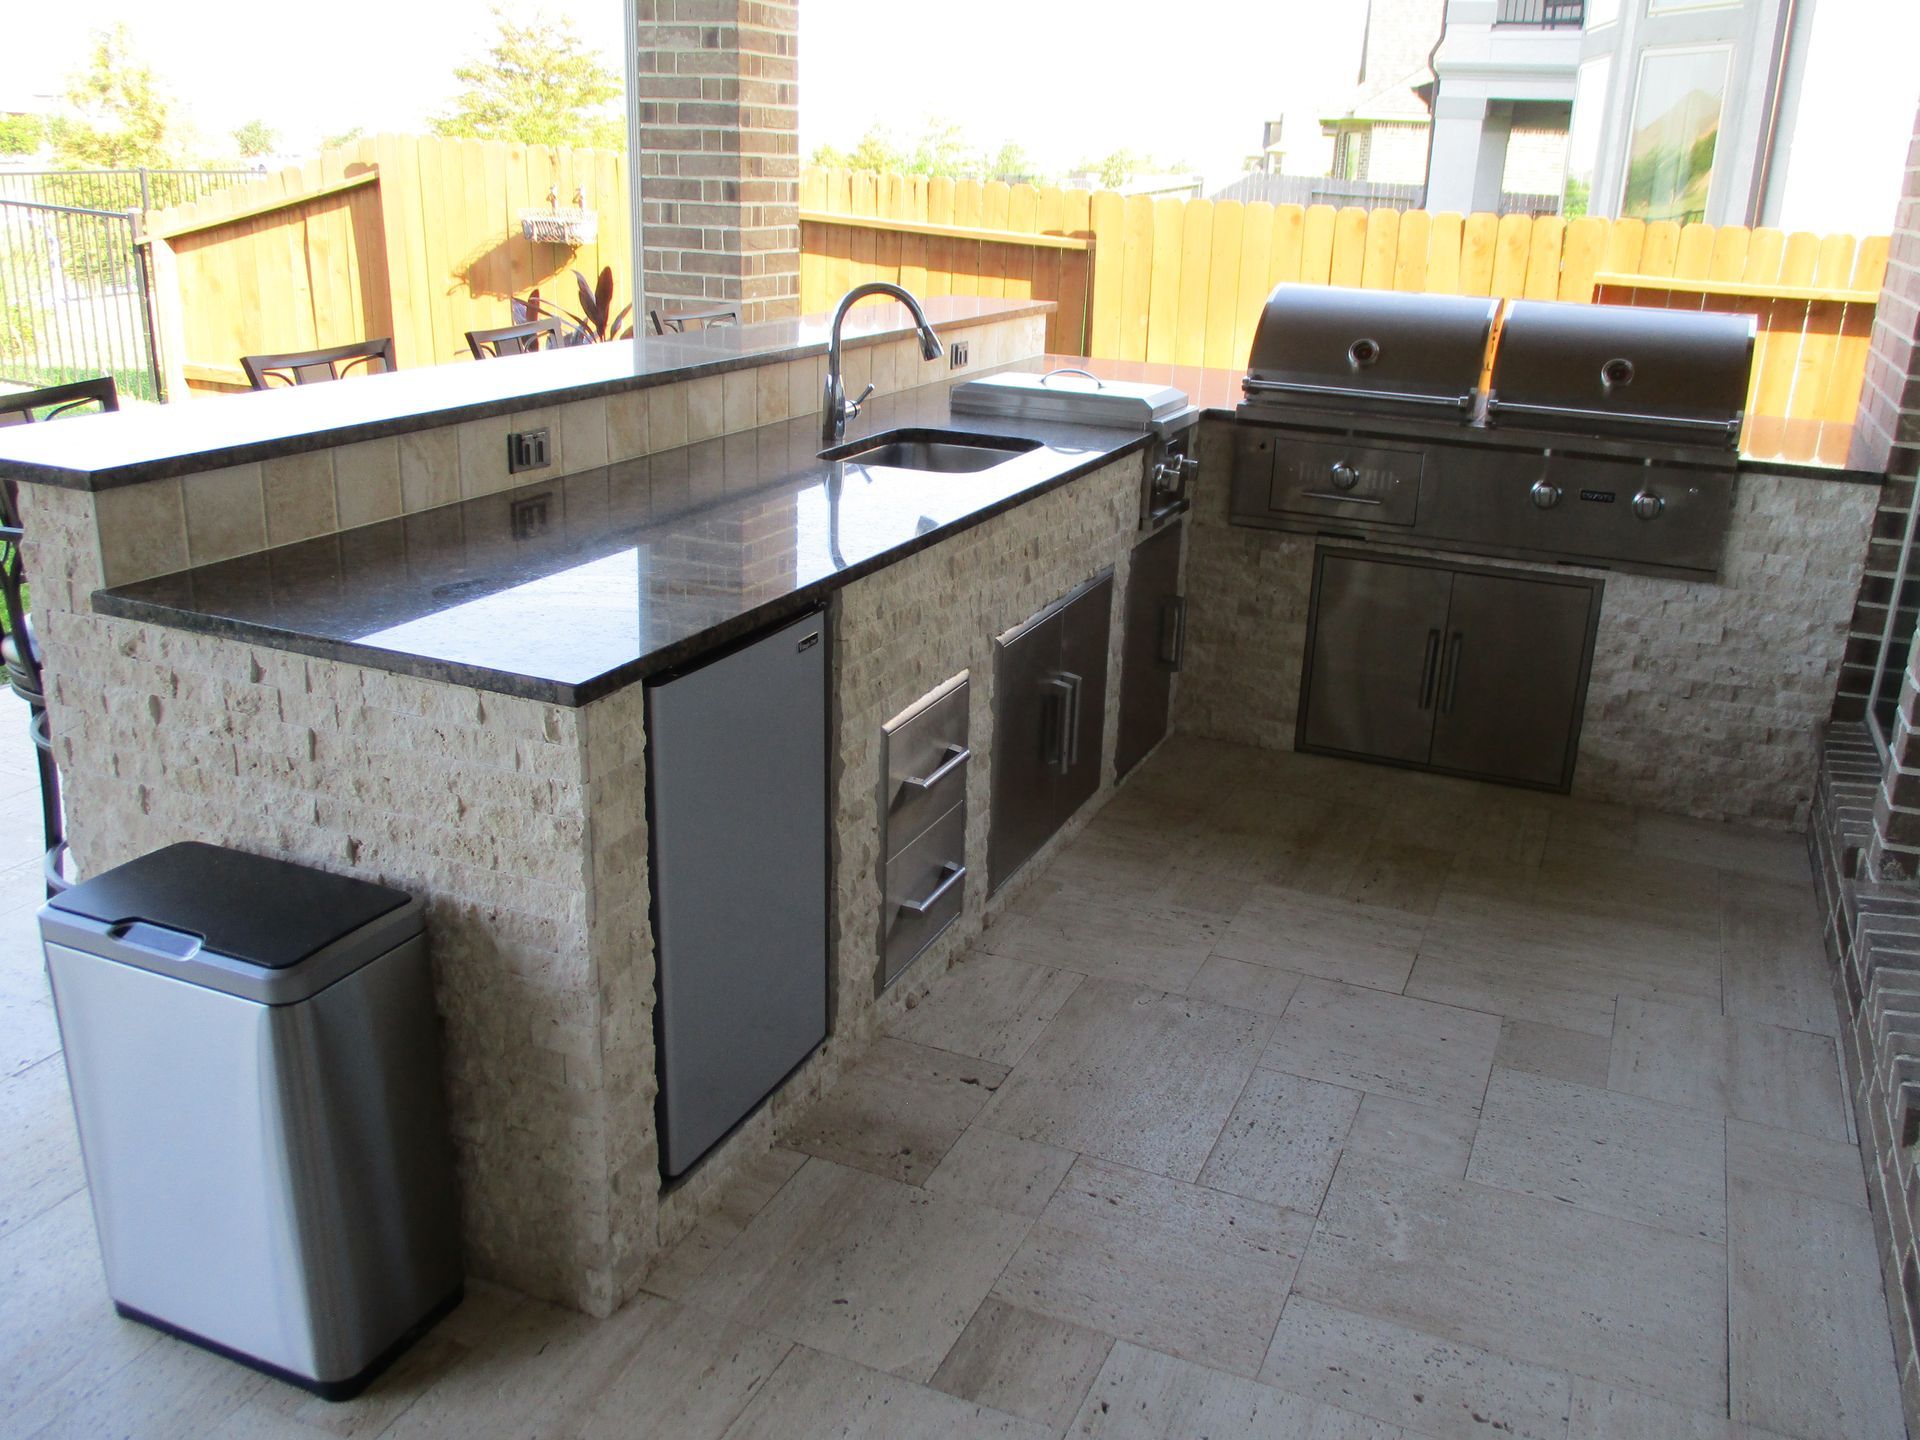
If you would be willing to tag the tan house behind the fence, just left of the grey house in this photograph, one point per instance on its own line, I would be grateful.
(1381, 135)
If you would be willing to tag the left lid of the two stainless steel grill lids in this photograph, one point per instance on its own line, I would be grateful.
(1370, 350)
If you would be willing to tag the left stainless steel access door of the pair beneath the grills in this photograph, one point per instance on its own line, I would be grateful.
(1376, 658)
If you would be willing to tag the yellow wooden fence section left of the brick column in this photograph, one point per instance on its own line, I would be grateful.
(404, 237)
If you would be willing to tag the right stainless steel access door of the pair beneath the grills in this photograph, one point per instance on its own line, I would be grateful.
(1514, 673)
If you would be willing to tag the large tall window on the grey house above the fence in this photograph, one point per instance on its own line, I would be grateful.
(1677, 126)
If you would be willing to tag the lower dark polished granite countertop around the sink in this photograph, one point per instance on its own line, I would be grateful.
(579, 587)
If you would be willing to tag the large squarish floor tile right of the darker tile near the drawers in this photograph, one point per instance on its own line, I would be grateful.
(1132, 1076)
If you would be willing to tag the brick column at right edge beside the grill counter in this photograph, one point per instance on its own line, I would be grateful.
(1886, 437)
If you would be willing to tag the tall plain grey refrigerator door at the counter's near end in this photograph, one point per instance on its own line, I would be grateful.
(738, 765)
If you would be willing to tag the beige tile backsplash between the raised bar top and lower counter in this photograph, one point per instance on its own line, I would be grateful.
(216, 516)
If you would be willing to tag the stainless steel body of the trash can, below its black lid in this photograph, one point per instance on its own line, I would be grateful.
(274, 1180)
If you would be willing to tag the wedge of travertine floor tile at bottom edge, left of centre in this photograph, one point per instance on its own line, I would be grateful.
(817, 1397)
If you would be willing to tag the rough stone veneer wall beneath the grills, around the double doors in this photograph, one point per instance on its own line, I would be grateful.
(1704, 698)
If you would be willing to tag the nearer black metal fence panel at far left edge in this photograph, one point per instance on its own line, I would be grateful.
(76, 299)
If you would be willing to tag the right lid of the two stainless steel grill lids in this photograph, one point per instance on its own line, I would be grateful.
(1660, 373)
